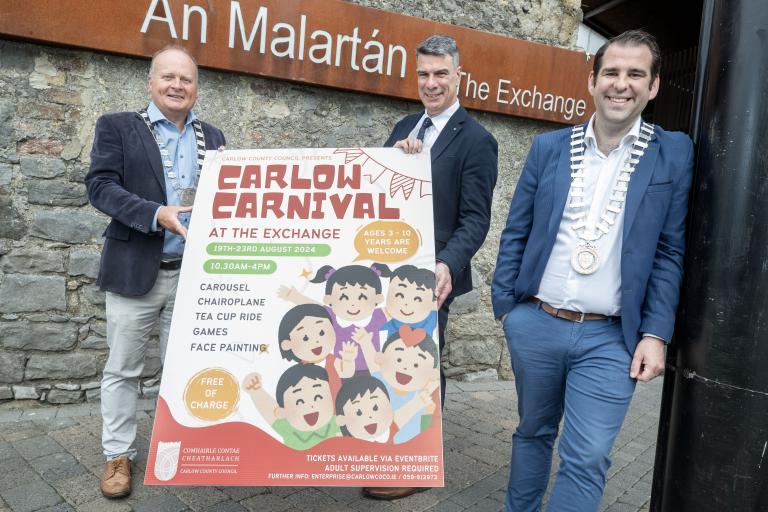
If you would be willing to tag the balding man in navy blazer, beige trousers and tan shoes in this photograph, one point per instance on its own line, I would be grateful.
(144, 170)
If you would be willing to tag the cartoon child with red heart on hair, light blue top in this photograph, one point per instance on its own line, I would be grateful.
(407, 366)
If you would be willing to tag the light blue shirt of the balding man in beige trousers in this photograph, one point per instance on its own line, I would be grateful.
(182, 151)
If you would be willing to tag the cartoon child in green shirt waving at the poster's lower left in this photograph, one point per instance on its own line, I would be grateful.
(303, 412)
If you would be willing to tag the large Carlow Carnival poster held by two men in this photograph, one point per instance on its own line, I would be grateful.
(303, 348)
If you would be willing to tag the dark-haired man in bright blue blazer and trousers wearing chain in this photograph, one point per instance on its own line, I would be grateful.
(588, 275)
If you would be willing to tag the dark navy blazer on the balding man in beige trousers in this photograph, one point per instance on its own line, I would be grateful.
(126, 182)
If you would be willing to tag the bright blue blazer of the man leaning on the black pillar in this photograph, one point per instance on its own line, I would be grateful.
(652, 239)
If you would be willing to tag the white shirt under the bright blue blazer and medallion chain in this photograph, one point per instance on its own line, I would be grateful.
(561, 286)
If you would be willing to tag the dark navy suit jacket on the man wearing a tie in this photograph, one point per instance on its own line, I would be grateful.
(464, 169)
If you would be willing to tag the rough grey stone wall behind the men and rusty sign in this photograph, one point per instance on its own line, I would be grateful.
(52, 329)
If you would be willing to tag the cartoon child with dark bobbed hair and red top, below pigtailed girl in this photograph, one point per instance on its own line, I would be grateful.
(306, 335)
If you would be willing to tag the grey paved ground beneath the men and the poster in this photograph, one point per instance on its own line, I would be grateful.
(50, 460)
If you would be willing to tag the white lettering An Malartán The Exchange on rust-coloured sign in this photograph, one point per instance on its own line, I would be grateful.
(252, 30)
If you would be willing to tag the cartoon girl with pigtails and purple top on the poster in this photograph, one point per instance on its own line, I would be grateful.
(352, 294)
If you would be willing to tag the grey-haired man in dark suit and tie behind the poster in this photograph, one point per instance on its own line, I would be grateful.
(464, 169)
